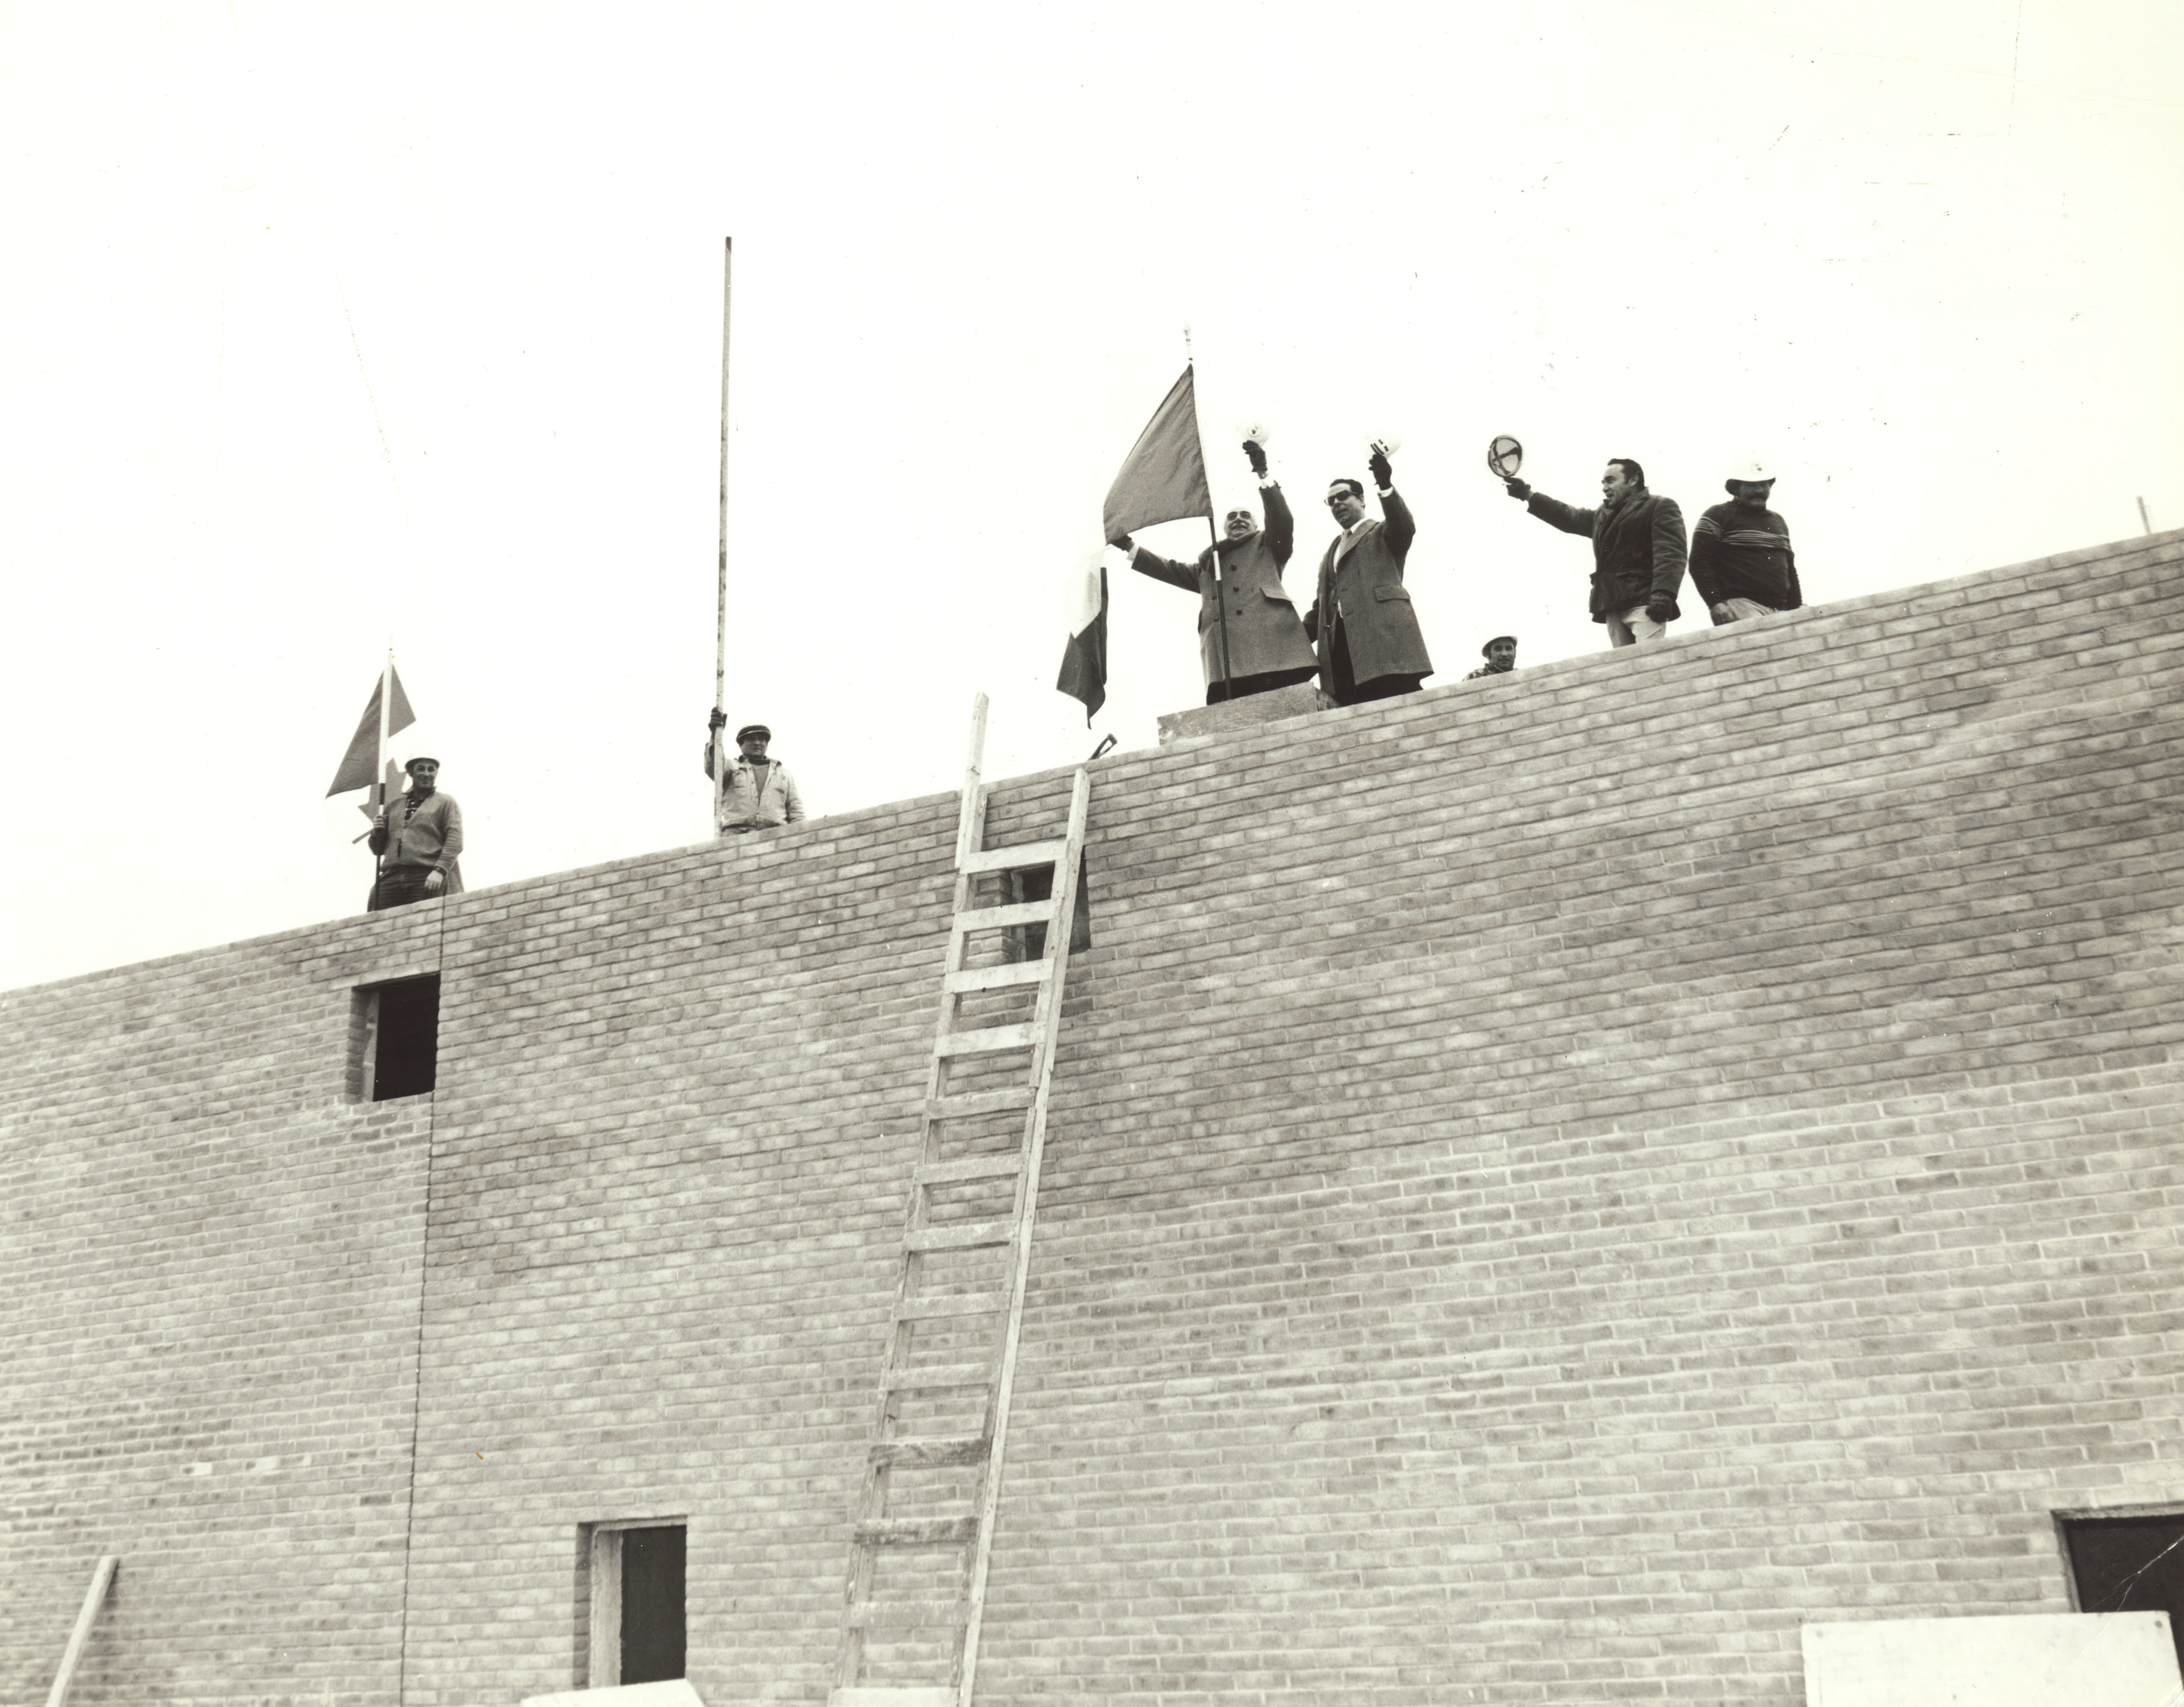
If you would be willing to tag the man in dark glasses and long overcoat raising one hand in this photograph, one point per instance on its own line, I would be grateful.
(1370, 645)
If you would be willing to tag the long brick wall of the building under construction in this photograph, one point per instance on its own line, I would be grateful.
(1554, 1182)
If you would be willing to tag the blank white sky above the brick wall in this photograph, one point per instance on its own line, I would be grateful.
(340, 326)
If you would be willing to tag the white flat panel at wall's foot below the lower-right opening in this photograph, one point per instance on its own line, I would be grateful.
(2056, 1660)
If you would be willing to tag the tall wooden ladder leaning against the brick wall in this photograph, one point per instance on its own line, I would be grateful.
(925, 1523)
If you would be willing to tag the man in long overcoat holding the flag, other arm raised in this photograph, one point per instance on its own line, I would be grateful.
(1250, 638)
